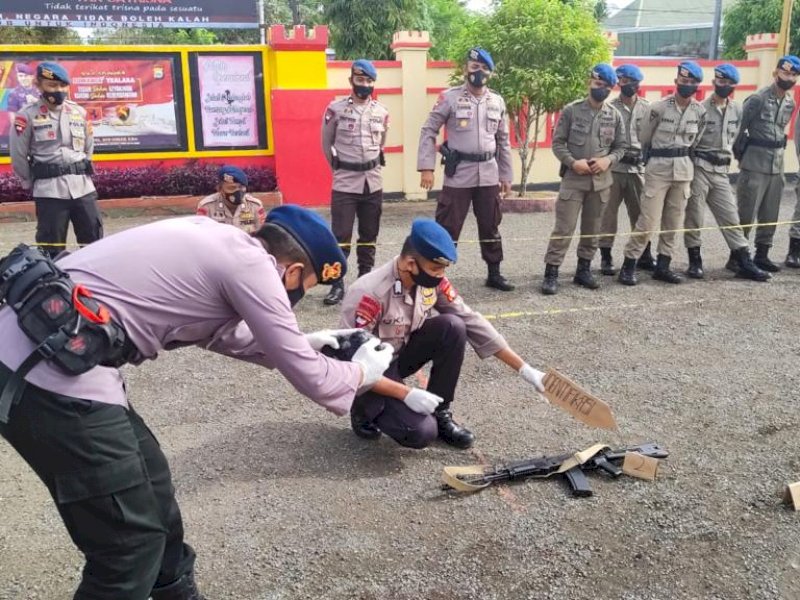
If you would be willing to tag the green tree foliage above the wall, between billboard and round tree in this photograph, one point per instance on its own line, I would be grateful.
(365, 27)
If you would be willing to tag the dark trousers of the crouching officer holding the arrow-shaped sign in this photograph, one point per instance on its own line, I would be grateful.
(442, 341)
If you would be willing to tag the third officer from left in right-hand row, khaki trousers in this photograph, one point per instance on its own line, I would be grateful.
(670, 131)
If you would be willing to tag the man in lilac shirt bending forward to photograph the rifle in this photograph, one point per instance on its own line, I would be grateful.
(102, 466)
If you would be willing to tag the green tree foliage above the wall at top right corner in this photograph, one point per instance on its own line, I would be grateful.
(747, 17)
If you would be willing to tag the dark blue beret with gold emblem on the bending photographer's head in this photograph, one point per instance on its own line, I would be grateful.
(313, 234)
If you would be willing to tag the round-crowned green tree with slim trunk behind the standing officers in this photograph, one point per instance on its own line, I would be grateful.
(543, 51)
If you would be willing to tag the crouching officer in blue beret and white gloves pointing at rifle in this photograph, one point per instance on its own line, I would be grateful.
(410, 304)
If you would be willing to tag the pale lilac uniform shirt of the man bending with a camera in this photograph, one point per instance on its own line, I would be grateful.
(189, 281)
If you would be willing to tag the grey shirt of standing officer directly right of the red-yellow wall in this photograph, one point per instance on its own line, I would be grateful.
(358, 133)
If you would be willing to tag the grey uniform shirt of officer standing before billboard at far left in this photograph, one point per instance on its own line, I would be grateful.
(59, 137)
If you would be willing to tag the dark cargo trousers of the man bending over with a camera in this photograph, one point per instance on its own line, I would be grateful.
(112, 487)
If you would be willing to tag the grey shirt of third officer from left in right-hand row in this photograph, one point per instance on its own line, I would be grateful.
(667, 126)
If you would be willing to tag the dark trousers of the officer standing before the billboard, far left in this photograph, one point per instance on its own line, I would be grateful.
(53, 216)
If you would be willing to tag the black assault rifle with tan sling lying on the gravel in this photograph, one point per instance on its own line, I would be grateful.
(572, 467)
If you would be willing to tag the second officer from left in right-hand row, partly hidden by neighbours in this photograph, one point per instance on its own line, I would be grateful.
(627, 174)
